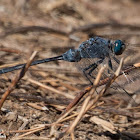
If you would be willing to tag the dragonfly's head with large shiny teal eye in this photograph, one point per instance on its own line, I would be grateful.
(119, 47)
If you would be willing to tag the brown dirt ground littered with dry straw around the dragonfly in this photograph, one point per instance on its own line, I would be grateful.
(38, 100)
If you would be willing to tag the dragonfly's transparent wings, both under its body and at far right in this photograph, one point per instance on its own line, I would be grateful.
(124, 85)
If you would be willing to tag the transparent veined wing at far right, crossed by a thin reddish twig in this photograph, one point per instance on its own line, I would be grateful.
(128, 84)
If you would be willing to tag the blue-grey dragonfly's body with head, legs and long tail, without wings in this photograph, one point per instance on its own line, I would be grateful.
(94, 48)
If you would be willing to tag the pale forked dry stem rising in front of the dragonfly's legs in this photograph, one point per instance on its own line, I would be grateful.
(89, 102)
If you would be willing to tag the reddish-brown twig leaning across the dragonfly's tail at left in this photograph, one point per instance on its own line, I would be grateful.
(16, 80)
